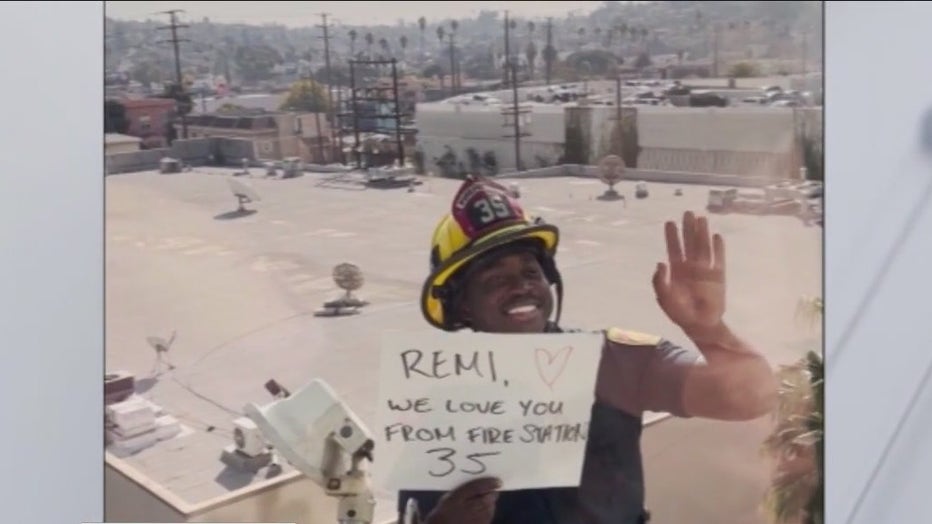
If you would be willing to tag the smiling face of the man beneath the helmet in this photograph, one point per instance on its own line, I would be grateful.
(509, 294)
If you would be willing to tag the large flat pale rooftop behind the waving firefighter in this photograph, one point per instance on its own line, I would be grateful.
(240, 293)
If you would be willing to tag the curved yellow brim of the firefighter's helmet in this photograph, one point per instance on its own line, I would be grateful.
(431, 305)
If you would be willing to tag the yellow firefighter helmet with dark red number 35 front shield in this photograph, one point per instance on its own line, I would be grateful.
(484, 217)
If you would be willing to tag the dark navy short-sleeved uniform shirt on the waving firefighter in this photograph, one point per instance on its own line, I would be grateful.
(637, 373)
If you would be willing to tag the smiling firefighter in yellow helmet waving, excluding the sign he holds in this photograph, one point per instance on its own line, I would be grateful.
(493, 270)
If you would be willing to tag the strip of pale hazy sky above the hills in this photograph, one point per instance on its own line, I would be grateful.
(296, 14)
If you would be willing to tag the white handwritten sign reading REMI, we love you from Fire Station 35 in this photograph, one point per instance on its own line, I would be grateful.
(456, 406)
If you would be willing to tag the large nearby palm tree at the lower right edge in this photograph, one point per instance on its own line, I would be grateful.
(796, 443)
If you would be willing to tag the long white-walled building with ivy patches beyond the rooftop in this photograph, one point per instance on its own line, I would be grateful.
(752, 141)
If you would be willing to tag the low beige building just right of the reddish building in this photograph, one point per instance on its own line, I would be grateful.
(276, 135)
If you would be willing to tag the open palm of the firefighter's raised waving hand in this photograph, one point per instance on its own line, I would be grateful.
(692, 290)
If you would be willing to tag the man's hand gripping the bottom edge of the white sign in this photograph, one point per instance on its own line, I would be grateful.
(470, 503)
